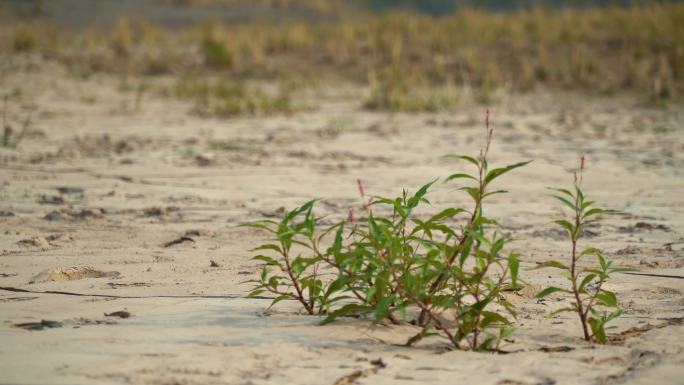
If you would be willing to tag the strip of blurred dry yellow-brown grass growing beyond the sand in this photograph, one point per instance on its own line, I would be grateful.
(399, 55)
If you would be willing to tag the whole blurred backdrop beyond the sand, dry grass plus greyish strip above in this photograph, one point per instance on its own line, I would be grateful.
(411, 55)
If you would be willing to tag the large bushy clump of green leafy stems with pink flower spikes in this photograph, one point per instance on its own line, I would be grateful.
(448, 269)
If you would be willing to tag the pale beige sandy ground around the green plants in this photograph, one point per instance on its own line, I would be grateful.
(139, 178)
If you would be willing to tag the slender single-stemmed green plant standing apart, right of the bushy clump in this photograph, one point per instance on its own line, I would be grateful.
(594, 305)
